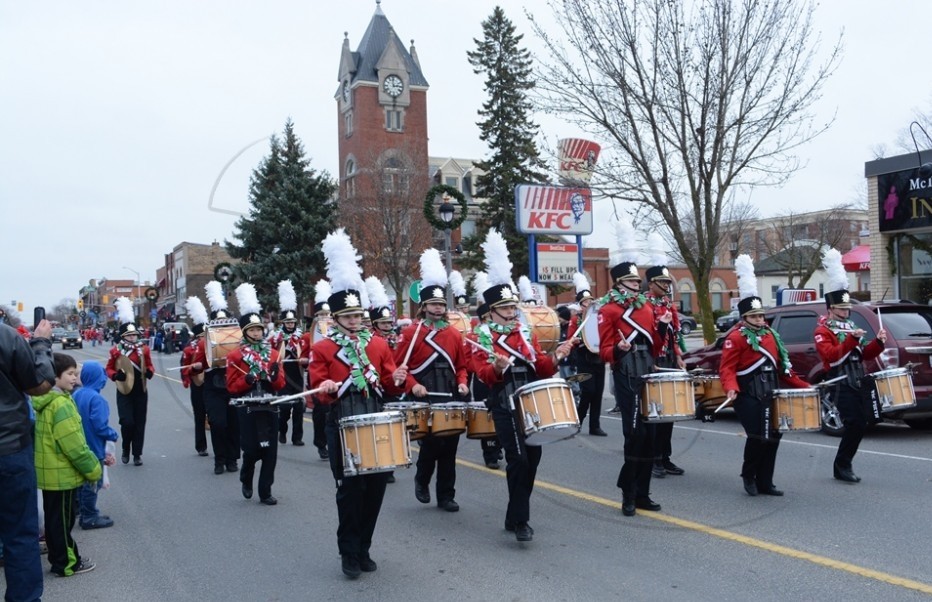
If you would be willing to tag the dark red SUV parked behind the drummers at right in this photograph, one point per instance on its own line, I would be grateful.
(909, 341)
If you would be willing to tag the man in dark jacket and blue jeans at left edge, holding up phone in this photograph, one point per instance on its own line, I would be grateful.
(24, 368)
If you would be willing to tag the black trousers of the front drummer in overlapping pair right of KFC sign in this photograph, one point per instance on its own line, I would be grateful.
(634, 477)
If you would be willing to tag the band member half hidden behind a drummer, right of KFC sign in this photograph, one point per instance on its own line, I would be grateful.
(659, 284)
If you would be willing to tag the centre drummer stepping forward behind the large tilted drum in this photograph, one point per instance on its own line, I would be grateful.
(511, 359)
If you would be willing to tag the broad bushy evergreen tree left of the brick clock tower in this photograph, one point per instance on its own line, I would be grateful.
(291, 211)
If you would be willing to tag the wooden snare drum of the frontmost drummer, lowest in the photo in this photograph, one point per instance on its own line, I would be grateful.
(374, 443)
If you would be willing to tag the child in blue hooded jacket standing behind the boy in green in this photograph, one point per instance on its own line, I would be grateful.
(95, 417)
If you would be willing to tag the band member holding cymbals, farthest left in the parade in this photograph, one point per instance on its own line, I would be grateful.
(132, 407)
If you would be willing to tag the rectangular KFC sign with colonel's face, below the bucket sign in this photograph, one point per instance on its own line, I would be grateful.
(553, 209)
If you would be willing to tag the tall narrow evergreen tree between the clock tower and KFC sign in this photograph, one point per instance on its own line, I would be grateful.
(509, 131)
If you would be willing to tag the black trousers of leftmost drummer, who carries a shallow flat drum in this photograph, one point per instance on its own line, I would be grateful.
(259, 444)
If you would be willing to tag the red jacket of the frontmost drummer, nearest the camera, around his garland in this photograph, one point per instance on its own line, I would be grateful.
(328, 362)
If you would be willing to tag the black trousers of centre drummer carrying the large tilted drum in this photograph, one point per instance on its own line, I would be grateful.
(521, 462)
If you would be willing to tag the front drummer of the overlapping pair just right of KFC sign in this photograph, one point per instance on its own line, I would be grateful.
(628, 341)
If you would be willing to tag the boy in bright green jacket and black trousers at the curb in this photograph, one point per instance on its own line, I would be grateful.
(63, 463)
